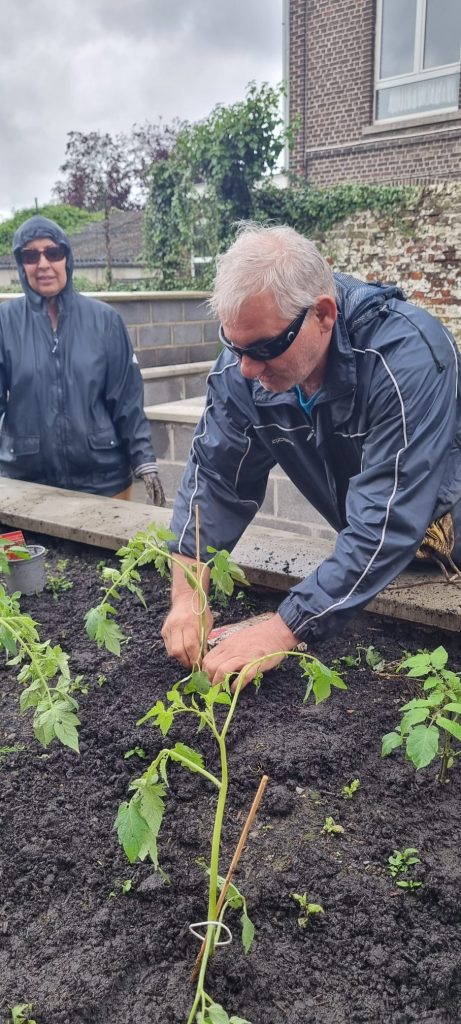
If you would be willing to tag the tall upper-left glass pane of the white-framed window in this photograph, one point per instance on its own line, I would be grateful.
(398, 37)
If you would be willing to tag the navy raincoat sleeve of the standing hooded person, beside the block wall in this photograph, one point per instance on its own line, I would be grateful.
(124, 398)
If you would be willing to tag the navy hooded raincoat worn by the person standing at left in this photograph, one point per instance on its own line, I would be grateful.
(72, 403)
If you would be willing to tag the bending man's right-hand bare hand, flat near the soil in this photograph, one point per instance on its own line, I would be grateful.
(233, 655)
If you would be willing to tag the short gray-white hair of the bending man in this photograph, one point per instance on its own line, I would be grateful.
(276, 260)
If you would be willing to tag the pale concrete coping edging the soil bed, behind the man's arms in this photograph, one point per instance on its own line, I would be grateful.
(273, 559)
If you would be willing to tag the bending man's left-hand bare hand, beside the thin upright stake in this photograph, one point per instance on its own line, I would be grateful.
(181, 629)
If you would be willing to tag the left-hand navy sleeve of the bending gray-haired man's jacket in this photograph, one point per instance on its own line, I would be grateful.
(227, 472)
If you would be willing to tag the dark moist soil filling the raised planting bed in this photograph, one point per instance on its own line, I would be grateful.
(82, 956)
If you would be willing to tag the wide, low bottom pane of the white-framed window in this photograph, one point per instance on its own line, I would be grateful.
(432, 95)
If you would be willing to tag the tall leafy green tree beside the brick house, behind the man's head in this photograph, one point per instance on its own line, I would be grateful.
(209, 181)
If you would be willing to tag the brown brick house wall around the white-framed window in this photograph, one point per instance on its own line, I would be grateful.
(332, 90)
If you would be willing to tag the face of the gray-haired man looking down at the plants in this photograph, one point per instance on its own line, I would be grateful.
(304, 362)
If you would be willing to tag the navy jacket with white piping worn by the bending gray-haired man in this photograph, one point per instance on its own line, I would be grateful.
(381, 458)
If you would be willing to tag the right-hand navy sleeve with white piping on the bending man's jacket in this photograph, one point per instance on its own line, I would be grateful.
(410, 432)
